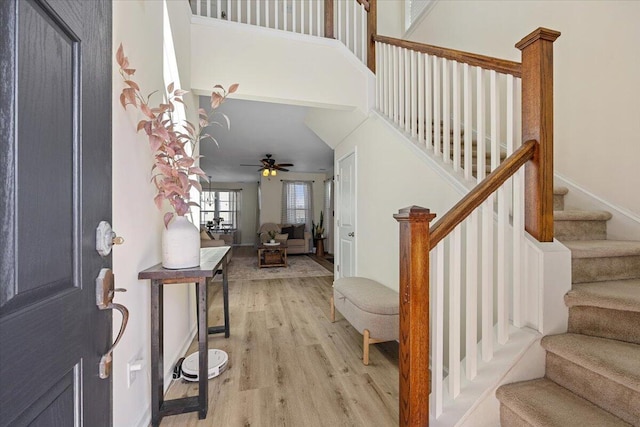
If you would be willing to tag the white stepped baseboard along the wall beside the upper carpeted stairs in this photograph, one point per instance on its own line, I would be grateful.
(625, 225)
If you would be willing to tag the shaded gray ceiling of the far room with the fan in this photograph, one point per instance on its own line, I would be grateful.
(258, 128)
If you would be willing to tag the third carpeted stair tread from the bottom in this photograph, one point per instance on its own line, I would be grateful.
(613, 294)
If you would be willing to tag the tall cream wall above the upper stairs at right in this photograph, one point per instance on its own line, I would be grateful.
(597, 63)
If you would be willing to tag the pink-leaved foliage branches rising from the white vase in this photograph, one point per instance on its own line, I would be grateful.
(173, 166)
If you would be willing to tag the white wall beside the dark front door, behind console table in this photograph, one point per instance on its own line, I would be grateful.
(139, 26)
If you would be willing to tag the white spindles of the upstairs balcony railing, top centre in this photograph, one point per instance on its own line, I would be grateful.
(298, 16)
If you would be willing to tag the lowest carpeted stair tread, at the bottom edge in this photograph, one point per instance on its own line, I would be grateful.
(542, 402)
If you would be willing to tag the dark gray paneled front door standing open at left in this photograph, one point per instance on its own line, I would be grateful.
(55, 187)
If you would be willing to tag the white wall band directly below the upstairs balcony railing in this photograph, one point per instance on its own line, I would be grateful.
(277, 66)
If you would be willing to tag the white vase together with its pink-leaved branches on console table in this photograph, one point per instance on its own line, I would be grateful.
(174, 172)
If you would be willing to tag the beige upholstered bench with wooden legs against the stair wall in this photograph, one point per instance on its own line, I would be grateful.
(371, 308)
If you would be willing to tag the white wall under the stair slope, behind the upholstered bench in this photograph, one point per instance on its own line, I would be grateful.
(390, 176)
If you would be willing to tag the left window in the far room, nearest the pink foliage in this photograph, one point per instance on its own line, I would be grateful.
(220, 207)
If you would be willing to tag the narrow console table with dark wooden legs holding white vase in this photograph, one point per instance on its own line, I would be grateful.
(212, 261)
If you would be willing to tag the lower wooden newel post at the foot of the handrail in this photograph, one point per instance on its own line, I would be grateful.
(414, 315)
